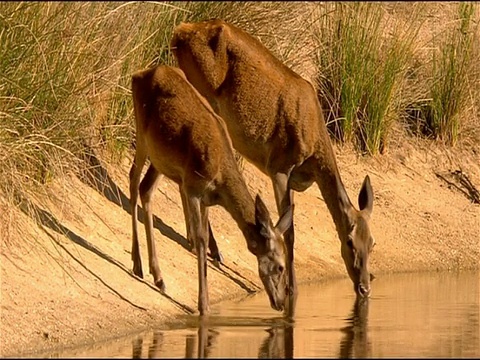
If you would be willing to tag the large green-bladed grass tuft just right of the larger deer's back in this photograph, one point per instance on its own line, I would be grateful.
(361, 71)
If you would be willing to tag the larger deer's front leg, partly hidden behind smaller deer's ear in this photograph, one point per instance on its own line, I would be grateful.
(284, 198)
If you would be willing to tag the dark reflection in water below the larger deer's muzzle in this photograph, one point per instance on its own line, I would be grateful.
(355, 342)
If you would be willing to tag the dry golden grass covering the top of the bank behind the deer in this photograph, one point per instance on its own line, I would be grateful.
(65, 71)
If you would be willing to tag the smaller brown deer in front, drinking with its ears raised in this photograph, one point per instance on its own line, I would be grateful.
(187, 142)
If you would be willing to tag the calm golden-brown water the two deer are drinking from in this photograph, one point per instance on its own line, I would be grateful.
(408, 315)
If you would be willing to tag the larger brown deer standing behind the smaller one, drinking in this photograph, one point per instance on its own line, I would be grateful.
(275, 121)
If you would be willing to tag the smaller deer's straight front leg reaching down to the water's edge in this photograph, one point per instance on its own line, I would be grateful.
(199, 226)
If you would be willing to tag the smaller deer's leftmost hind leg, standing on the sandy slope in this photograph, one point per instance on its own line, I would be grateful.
(135, 173)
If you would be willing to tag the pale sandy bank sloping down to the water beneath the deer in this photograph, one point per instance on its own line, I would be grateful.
(67, 281)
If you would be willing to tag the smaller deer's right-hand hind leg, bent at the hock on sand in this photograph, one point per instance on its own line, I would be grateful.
(147, 188)
